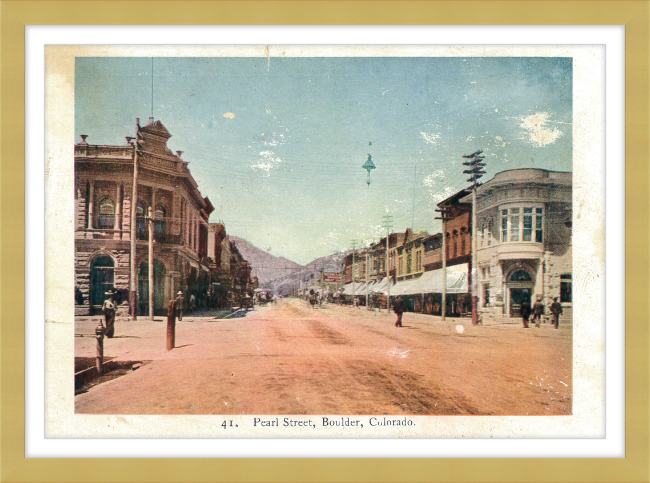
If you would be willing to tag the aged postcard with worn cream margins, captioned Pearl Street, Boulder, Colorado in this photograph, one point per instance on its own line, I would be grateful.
(318, 242)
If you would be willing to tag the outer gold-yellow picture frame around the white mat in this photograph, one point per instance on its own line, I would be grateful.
(15, 15)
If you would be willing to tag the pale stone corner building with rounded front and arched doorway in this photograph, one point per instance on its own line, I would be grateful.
(523, 238)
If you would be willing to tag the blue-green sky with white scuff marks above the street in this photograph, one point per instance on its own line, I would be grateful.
(278, 145)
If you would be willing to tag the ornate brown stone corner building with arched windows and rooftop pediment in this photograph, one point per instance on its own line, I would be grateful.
(104, 177)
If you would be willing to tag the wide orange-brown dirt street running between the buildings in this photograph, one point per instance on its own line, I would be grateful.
(292, 359)
